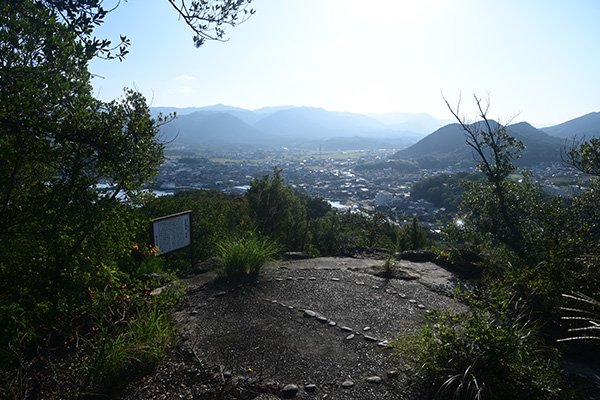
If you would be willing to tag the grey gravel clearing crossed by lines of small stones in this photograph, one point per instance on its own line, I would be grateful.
(288, 327)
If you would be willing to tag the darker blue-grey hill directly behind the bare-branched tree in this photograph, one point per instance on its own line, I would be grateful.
(446, 147)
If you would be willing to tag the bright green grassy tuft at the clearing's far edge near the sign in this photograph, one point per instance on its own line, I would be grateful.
(246, 255)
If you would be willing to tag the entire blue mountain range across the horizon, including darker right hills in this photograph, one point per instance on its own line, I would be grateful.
(421, 137)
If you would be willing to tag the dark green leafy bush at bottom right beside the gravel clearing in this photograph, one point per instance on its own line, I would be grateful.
(484, 355)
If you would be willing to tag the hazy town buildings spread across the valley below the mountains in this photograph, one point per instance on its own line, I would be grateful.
(335, 179)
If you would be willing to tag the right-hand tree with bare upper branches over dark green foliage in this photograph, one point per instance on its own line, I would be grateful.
(538, 246)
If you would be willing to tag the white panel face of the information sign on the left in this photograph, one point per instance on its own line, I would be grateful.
(172, 233)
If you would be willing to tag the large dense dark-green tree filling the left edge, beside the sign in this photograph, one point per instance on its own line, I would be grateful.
(57, 143)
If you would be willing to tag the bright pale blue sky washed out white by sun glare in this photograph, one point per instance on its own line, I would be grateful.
(536, 61)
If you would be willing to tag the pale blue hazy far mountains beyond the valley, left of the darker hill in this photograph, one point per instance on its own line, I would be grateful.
(220, 126)
